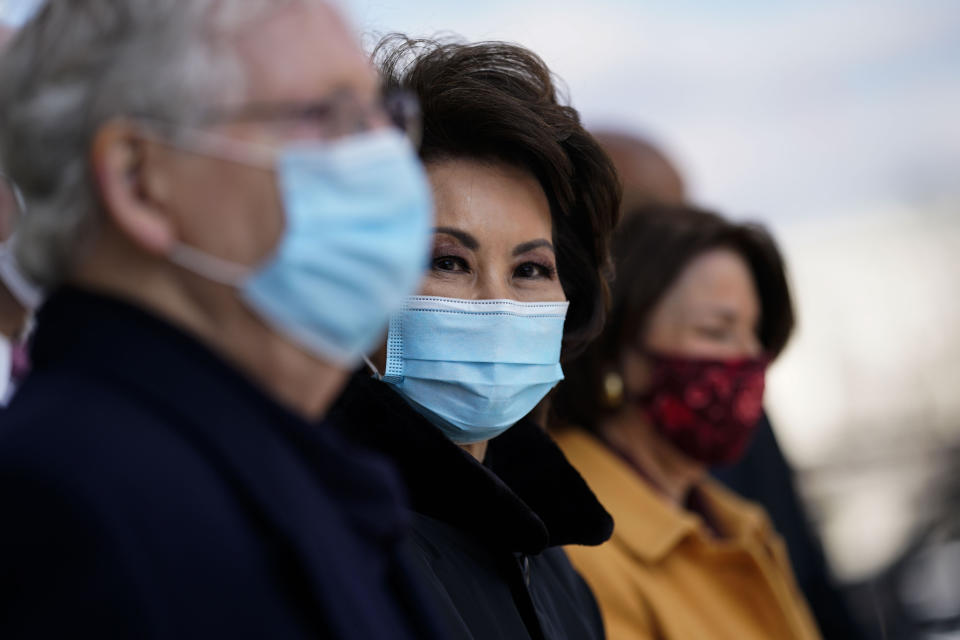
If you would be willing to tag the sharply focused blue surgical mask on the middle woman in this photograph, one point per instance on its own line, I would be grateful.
(474, 367)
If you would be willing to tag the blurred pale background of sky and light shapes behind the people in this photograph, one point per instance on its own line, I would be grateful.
(837, 124)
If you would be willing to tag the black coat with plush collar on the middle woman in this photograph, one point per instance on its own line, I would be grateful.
(487, 536)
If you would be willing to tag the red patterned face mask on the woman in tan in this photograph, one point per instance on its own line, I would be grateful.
(708, 409)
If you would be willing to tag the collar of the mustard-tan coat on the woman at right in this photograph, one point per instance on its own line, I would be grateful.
(648, 525)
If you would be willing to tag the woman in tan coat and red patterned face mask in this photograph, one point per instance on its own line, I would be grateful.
(674, 385)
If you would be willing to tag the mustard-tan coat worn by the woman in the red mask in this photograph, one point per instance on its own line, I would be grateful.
(664, 576)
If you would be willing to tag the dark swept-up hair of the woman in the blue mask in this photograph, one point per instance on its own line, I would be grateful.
(497, 102)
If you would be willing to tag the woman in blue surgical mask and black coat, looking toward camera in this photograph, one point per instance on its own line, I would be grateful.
(525, 202)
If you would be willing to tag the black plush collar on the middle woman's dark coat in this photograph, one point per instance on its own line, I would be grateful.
(525, 497)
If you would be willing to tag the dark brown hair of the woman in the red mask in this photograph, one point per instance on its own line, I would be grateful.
(651, 248)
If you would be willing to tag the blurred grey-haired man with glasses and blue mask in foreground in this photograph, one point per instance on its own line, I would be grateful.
(225, 218)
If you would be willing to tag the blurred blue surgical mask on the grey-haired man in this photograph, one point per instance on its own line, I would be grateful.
(356, 242)
